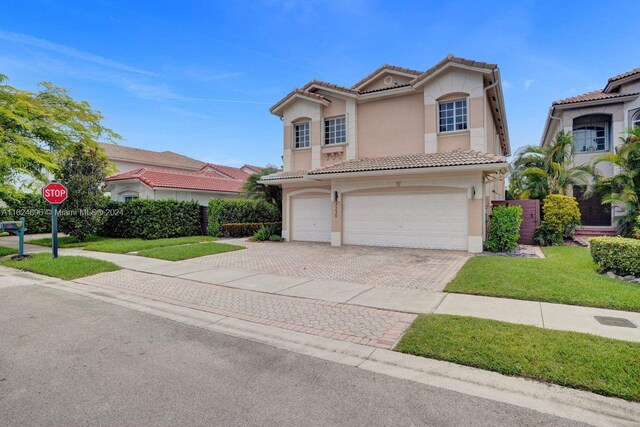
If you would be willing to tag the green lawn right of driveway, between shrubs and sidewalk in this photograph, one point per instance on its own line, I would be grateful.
(566, 276)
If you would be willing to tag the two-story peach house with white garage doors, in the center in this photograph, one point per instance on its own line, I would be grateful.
(403, 158)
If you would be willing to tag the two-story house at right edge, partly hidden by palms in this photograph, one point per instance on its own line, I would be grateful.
(597, 120)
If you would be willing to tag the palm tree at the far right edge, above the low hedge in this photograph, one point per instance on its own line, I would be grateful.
(624, 187)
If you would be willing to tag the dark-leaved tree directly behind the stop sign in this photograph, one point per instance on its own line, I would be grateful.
(82, 169)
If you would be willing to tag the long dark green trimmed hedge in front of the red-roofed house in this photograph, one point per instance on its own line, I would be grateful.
(151, 219)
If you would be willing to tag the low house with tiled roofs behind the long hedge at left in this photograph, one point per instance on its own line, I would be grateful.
(155, 175)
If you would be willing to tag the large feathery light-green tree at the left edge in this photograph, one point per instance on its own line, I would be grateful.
(37, 127)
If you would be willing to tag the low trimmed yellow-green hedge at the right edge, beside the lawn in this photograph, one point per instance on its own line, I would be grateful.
(618, 254)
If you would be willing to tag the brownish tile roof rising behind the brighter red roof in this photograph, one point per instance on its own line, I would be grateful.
(156, 158)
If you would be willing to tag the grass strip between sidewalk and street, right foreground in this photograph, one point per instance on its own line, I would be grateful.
(600, 365)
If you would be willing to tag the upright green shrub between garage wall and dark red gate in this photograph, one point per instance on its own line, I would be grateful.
(504, 228)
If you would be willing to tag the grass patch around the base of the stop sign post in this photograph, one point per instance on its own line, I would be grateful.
(64, 267)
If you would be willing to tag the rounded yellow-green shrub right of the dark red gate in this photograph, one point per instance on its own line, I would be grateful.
(560, 217)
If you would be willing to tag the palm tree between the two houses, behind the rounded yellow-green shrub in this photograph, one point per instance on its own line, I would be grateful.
(539, 171)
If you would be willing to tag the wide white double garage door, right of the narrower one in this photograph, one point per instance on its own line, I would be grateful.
(435, 220)
